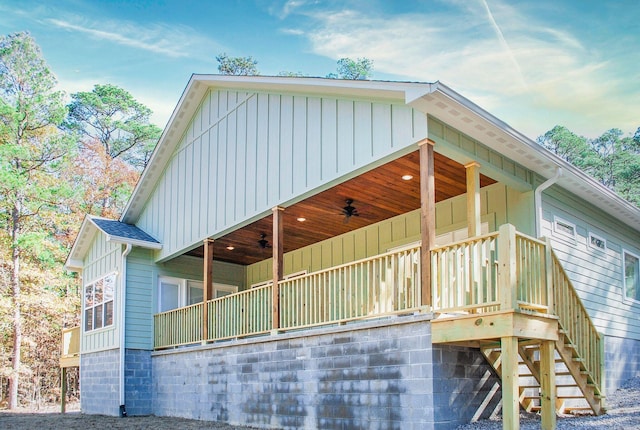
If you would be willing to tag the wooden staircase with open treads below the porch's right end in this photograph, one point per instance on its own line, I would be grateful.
(576, 389)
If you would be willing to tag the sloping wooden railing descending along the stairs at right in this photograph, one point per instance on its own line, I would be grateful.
(576, 323)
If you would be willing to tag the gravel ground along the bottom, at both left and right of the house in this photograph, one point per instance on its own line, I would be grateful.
(623, 413)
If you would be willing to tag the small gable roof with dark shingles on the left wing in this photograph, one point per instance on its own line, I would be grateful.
(115, 231)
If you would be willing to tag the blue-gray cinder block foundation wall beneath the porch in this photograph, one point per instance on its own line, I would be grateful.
(373, 375)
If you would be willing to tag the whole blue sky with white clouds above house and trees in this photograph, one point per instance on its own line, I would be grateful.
(533, 64)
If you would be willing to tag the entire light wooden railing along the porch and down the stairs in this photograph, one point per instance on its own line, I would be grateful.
(495, 272)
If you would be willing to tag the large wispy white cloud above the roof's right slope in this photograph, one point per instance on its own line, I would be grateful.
(497, 58)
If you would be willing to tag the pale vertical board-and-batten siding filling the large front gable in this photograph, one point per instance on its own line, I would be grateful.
(246, 152)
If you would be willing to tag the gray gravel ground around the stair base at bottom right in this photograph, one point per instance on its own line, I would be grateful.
(623, 413)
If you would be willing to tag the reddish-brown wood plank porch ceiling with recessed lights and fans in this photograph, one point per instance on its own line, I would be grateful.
(378, 194)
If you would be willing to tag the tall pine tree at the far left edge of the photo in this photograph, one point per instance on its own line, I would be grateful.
(34, 155)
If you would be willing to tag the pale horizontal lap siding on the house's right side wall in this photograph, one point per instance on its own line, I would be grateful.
(596, 274)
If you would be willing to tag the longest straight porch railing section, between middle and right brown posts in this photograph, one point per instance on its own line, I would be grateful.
(385, 284)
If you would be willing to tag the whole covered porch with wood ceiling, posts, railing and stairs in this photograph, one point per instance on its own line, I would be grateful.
(503, 292)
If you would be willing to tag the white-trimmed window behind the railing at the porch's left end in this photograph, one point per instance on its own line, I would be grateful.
(176, 292)
